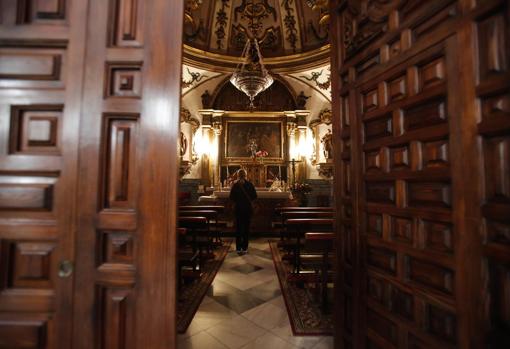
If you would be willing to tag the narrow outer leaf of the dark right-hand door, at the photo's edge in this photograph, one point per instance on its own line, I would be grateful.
(492, 35)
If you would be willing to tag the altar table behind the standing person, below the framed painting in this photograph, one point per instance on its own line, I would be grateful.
(263, 207)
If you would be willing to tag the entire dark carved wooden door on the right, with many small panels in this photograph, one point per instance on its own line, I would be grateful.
(421, 116)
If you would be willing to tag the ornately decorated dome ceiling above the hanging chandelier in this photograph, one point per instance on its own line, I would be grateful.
(297, 29)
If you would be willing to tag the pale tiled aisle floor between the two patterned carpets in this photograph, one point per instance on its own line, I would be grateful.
(244, 308)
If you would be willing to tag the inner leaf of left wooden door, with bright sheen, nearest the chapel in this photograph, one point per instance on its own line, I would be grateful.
(125, 284)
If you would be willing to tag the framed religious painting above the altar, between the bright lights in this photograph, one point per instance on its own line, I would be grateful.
(254, 138)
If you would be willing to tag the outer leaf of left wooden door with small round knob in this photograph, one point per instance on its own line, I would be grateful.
(41, 59)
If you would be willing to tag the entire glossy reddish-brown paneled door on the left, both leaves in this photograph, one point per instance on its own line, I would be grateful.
(89, 118)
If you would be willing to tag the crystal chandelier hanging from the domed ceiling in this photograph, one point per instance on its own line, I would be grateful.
(250, 76)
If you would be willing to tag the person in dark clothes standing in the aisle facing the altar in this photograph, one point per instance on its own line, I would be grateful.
(242, 193)
